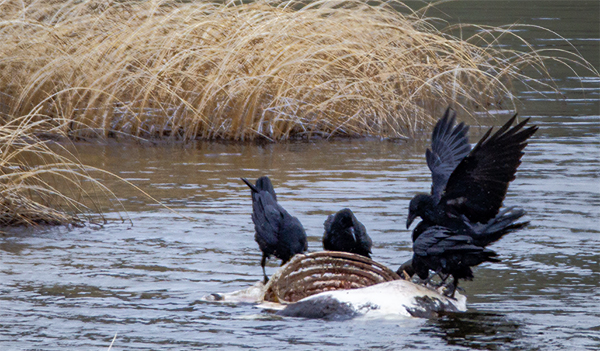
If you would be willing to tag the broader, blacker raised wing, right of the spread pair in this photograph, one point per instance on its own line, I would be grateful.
(478, 185)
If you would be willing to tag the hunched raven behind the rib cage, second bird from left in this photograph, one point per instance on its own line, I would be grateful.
(343, 232)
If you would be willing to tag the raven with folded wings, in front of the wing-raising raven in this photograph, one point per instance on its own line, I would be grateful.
(448, 252)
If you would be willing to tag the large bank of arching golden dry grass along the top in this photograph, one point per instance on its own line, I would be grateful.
(276, 70)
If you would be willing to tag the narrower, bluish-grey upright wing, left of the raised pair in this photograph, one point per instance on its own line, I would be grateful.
(449, 145)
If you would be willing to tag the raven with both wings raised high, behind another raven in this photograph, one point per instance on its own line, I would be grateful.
(468, 185)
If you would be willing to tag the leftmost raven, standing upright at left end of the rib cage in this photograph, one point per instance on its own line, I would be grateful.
(278, 233)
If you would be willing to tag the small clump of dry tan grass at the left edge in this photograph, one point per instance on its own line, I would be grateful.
(41, 182)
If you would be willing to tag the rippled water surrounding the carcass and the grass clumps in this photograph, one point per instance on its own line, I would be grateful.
(75, 289)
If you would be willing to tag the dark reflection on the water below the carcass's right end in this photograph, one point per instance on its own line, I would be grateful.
(476, 330)
